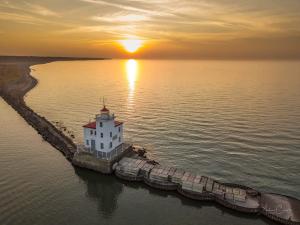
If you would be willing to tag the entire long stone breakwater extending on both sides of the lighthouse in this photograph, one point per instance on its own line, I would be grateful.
(276, 207)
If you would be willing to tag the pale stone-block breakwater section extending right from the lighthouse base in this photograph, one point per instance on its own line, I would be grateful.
(283, 209)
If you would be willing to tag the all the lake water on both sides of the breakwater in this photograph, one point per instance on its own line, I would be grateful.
(236, 121)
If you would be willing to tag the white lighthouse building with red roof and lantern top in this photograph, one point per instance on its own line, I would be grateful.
(103, 135)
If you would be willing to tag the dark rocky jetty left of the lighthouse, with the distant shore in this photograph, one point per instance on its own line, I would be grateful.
(13, 93)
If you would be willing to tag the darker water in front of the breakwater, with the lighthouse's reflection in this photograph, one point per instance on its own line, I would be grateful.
(39, 186)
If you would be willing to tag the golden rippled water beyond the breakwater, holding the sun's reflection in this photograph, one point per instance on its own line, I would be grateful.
(237, 121)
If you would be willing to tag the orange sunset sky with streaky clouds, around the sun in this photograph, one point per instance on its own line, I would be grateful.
(187, 29)
